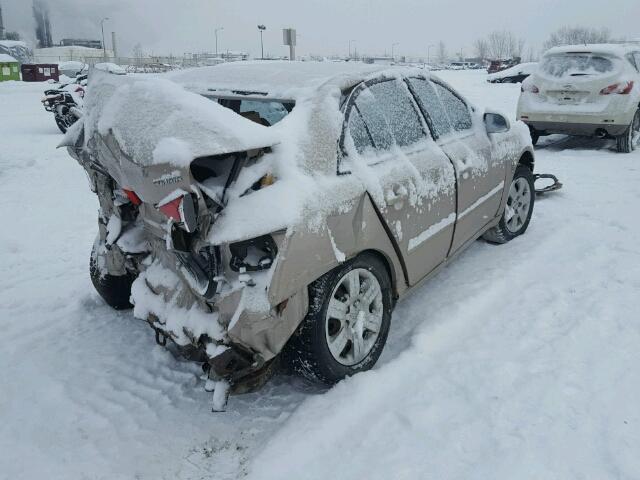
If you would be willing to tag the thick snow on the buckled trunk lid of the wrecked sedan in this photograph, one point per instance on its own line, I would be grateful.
(156, 121)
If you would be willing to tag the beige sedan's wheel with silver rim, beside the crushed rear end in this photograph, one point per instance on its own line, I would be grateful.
(347, 324)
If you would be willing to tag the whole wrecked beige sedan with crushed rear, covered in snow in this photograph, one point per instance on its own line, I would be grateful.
(278, 210)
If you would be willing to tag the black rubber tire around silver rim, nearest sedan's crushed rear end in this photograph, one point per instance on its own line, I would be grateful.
(307, 351)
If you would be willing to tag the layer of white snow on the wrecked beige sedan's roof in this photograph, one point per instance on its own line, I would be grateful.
(277, 79)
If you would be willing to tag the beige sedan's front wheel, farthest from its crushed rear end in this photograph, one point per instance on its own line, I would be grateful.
(517, 213)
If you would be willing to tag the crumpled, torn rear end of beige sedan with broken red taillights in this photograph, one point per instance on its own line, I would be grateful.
(188, 289)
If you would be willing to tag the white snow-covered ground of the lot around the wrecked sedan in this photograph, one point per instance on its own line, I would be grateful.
(515, 362)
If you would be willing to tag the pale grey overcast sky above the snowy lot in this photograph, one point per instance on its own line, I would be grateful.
(324, 26)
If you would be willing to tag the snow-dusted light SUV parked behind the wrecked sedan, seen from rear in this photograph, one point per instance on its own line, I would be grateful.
(590, 90)
